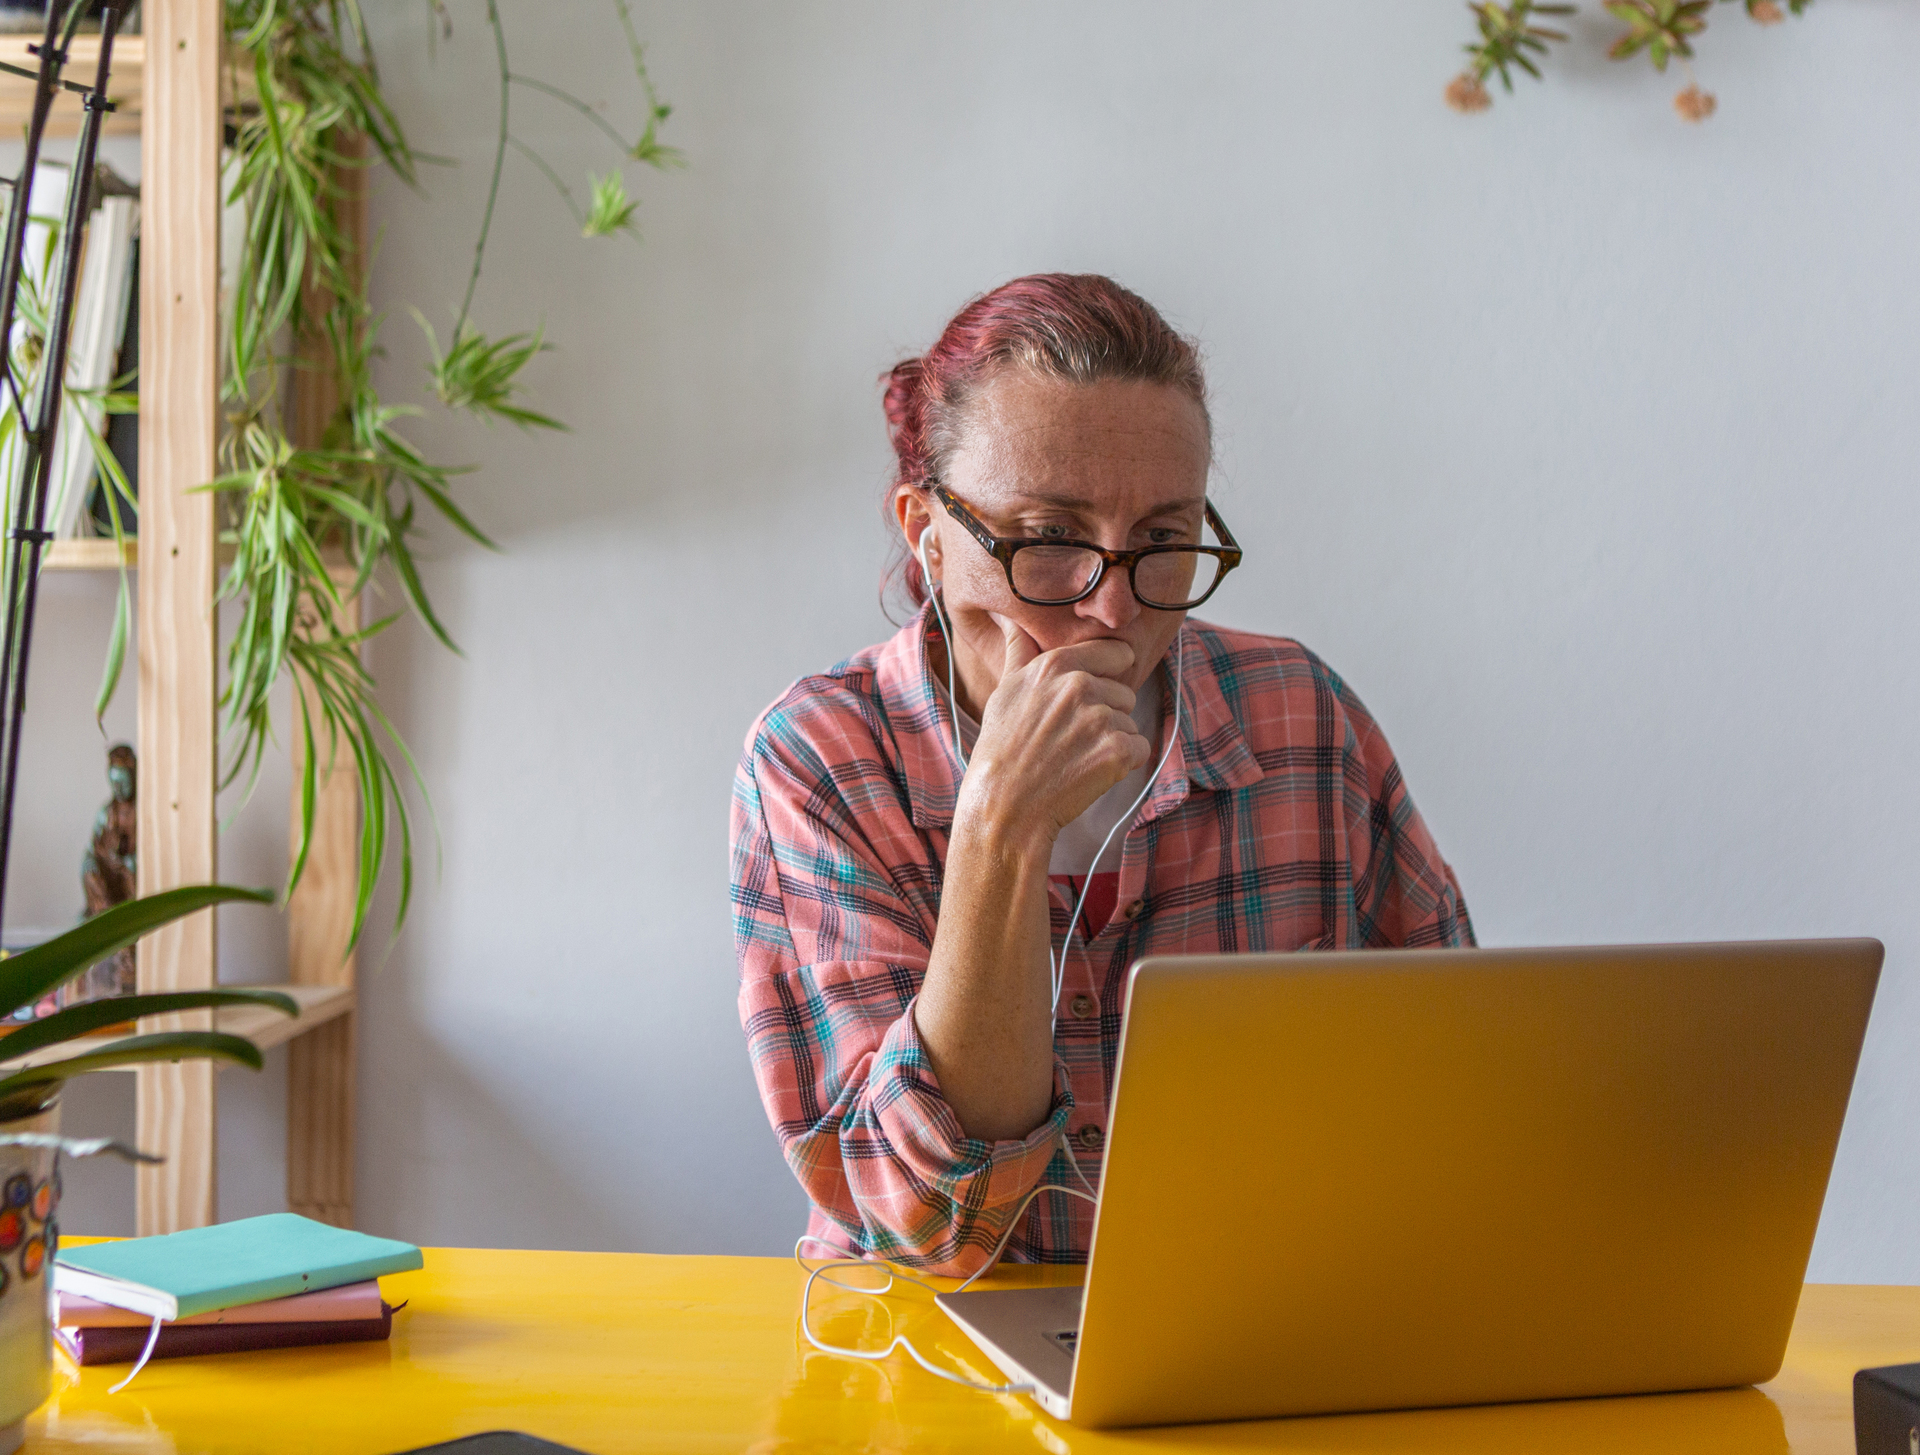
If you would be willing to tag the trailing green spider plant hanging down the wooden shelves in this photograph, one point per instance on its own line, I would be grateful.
(312, 521)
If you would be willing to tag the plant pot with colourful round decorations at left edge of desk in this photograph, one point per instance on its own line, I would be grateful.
(30, 1195)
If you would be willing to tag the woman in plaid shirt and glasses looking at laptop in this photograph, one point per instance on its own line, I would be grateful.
(915, 828)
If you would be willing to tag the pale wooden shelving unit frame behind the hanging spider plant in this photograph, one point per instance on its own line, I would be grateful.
(172, 93)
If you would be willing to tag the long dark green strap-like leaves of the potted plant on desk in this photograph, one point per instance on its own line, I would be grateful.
(32, 974)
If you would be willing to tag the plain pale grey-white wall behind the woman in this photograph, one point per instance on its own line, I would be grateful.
(1581, 441)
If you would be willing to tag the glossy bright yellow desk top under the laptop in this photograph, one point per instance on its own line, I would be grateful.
(627, 1352)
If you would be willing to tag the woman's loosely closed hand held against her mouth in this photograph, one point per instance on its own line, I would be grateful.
(1055, 736)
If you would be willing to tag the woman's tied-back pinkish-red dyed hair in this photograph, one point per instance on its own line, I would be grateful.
(1076, 327)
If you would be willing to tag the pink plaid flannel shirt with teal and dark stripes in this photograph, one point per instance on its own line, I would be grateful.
(1280, 823)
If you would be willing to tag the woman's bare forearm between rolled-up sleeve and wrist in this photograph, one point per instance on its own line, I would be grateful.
(986, 1007)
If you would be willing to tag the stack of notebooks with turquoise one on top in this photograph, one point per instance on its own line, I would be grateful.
(260, 1283)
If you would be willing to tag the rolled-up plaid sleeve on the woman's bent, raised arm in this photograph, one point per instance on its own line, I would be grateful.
(834, 942)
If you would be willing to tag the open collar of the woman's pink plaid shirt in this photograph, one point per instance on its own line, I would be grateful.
(1212, 753)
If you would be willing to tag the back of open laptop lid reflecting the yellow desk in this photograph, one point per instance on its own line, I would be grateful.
(1433, 1178)
